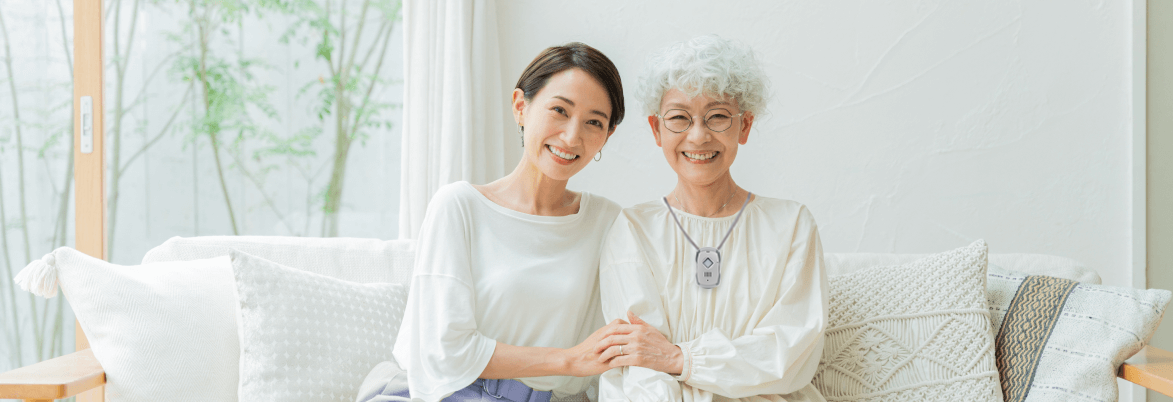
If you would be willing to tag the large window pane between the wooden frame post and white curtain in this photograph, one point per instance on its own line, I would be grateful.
(252, 118)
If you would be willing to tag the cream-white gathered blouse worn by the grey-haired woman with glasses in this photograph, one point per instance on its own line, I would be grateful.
(756, 337)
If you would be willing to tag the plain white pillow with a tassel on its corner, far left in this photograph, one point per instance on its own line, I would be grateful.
(162, 332)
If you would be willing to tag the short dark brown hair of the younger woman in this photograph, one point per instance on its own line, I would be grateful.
(558, 59)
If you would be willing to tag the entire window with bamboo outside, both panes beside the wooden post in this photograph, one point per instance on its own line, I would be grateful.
(222, 119)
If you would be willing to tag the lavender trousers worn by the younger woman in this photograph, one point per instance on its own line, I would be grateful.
(389, 384)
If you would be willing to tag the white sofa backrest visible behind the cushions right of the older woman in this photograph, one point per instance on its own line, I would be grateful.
(839, 264)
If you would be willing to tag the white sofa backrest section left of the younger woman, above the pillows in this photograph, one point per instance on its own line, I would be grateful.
(357, 261)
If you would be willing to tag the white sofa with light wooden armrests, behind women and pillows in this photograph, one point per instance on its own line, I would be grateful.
(371, 261)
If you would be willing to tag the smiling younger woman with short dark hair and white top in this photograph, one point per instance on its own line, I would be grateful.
(505, 301)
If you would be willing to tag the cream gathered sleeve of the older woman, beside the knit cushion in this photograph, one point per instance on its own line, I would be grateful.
(782, 353)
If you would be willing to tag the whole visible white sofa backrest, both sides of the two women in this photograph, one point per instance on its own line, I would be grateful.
(374, 261)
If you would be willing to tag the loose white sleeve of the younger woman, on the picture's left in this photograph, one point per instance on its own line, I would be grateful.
(439, 343)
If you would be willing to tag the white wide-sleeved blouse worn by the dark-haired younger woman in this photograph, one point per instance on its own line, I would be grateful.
(486, 274)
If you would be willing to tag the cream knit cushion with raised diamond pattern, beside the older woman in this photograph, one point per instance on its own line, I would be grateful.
(916, 332)
